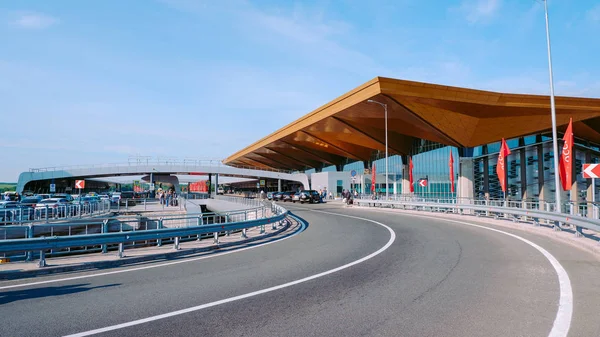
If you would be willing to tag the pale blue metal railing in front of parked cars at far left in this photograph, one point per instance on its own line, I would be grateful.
(49, 213)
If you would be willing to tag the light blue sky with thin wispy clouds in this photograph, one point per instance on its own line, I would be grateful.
(87, 82)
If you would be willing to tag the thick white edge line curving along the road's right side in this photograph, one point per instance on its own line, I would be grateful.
(562, 321)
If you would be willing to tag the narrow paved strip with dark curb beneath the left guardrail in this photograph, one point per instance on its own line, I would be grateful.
(16, 270)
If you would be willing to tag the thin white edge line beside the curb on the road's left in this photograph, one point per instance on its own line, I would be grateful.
(145, 267)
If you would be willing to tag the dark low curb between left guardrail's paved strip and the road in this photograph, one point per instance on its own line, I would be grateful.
(13, 275)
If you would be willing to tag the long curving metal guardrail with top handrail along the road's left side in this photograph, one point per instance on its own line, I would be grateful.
(104, 235)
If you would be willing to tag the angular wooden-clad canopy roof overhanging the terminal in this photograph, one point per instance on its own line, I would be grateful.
(349, 127)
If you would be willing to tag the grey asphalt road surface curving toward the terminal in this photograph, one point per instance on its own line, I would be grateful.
(436, 279)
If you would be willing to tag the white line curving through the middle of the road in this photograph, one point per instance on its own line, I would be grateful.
(254, 293)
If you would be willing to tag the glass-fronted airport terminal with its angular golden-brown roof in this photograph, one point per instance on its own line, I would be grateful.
(427, 122)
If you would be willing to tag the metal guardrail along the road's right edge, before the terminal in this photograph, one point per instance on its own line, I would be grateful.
(579, 222)
